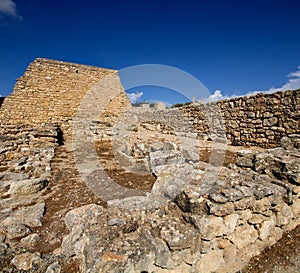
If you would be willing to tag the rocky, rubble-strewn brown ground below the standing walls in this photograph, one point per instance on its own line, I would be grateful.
(51, 222)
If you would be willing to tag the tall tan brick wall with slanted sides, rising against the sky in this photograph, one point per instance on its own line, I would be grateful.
(50, 92)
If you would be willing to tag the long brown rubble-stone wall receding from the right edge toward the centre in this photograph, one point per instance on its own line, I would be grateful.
(260, 120)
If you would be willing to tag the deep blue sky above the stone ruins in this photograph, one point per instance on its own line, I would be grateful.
(236, 46)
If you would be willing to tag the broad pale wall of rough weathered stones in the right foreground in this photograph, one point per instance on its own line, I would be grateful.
(243, 212)
